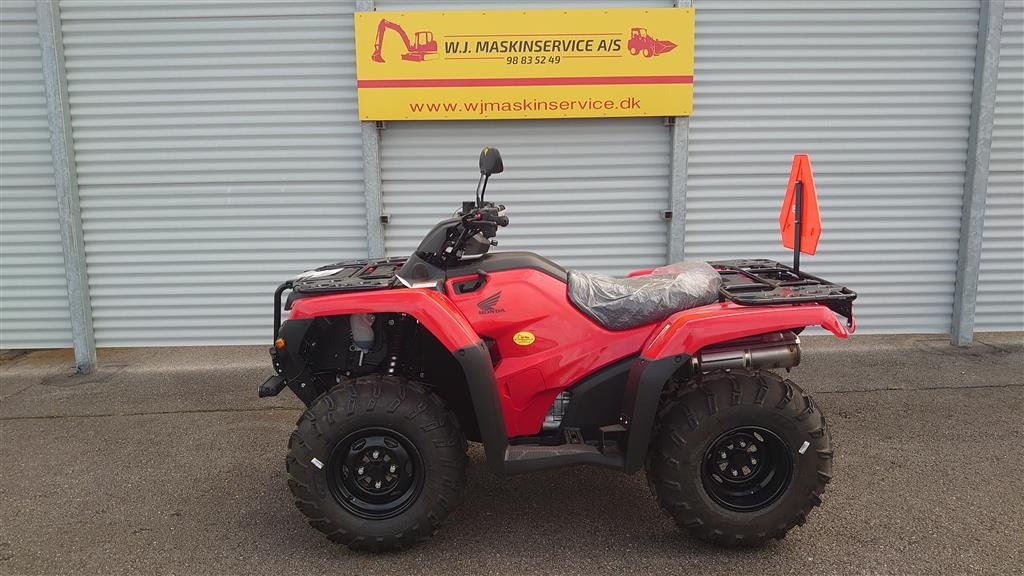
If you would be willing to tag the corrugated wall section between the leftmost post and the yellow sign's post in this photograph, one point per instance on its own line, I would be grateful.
(219, 153)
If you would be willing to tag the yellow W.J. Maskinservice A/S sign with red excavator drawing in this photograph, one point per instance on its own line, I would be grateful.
(525, 64)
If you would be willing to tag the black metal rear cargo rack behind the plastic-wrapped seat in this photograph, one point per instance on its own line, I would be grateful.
(758, 282)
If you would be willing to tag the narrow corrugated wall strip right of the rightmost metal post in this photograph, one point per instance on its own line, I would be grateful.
(1001, 283)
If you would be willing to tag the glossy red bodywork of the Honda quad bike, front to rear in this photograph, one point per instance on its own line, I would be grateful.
(565, 346)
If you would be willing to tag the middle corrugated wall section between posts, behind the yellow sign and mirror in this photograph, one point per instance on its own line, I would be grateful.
(588, 194)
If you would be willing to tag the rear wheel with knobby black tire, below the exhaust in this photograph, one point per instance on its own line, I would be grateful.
(729, 463)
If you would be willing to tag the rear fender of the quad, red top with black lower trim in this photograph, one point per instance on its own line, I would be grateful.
(670, 349)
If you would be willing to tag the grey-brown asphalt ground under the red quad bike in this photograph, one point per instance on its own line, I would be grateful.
(164, 462)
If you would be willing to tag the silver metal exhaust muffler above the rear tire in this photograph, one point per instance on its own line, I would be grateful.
(775, 350)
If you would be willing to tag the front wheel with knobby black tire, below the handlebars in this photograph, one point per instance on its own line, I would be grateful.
(377, 464)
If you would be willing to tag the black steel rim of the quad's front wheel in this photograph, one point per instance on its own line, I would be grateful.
(375, 474)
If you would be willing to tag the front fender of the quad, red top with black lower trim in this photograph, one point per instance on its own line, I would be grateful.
(449, 325)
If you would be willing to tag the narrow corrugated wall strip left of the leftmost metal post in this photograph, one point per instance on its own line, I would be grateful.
(33, 289)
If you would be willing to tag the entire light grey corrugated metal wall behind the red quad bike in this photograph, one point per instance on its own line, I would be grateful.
(219, 153)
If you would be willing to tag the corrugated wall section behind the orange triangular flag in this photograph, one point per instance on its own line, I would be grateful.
(879, 94)
